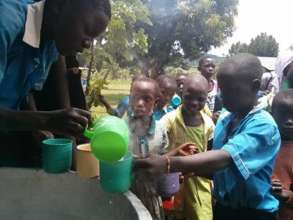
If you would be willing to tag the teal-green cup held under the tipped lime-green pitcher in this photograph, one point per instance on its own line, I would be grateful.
(116, 177)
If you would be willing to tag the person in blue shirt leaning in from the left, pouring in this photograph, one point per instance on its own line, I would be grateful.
(32, 35)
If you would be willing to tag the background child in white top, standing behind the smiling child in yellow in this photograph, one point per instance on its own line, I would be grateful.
(206, 66)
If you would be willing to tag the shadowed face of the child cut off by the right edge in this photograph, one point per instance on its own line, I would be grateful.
(283, 115)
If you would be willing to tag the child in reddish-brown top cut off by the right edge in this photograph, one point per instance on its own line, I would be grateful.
(282, 179)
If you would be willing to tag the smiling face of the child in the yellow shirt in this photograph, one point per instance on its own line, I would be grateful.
(194, 98)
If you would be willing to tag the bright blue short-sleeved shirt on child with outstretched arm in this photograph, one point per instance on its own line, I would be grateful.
(253, 146)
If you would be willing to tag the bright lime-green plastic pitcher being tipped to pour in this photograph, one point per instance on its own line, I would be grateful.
(109, 138)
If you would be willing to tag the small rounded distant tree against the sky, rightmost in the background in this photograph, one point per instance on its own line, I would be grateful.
(264, 45)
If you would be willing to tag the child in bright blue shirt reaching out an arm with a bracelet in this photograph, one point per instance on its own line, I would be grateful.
(246, 142)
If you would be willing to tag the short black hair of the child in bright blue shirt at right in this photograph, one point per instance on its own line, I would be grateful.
(243, 64)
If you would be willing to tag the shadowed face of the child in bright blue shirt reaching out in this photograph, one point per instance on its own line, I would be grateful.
(238, 95)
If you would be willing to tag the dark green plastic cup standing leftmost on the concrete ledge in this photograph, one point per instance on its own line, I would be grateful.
(56, 155)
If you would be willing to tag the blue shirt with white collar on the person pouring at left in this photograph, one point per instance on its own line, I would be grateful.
(24, 62)
